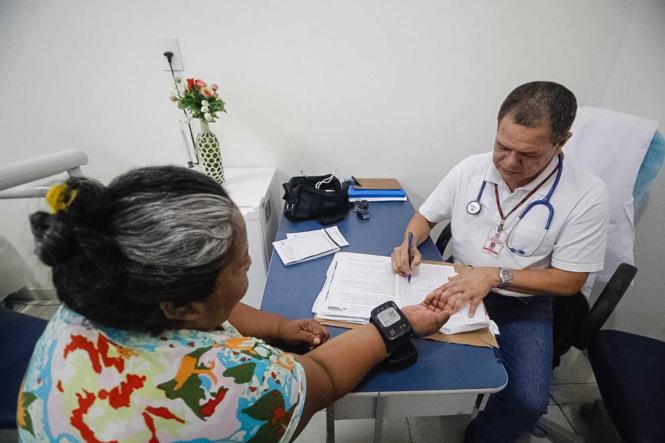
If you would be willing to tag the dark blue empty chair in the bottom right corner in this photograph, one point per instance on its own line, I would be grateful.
(630, 371)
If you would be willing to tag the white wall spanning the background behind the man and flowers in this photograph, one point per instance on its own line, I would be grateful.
(385, 88)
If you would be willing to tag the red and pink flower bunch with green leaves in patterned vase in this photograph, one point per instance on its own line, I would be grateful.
(199, 99)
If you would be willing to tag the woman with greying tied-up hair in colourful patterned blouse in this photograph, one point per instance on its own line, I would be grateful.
(152, 342)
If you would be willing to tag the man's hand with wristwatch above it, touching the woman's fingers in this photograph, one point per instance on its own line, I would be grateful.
(470, 285)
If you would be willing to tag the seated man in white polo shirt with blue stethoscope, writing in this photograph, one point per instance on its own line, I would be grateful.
(529, 226)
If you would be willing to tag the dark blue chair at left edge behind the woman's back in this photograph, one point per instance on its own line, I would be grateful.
(19, 334)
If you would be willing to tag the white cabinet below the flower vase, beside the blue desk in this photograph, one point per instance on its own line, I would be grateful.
(256, 193)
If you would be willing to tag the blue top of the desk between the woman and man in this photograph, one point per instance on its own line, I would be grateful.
(291, 291)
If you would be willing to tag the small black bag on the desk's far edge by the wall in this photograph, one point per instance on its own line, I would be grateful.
(327, 203)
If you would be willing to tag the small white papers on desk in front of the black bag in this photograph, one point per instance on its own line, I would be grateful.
(300, 247)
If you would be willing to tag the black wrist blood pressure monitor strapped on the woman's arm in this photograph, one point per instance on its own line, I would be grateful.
(396, 332)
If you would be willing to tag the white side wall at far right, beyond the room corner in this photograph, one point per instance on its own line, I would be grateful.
(637, 86)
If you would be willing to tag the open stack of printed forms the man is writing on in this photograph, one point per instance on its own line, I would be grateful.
(357, 283)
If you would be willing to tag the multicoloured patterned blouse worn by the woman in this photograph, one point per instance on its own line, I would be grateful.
(89, 383)
